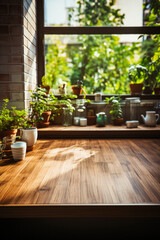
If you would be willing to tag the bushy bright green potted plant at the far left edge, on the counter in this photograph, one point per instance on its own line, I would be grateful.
(10, 119)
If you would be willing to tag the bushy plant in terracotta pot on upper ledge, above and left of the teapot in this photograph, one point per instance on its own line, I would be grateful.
(137, 74)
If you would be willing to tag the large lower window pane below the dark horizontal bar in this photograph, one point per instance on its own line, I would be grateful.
(101, 62)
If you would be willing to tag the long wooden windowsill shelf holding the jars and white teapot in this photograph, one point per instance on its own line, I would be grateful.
(94, 131)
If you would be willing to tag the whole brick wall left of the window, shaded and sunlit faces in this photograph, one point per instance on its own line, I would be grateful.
(17, 51)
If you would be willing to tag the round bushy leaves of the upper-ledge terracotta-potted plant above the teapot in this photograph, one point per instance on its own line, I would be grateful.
(137, 73)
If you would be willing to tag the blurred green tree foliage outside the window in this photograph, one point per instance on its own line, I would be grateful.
(100, 61)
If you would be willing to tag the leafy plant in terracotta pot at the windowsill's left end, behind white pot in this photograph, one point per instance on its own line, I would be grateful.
(40, 111)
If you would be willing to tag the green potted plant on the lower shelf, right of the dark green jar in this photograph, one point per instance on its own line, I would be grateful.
(116, 110)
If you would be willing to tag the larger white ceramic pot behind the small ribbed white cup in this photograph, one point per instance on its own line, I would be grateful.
(29, 135)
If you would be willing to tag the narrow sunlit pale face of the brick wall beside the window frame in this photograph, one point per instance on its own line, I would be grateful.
(29, 40)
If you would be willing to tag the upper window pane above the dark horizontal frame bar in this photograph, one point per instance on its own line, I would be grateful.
(93, 13)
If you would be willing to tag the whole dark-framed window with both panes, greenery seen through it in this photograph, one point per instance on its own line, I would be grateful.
(79, 41)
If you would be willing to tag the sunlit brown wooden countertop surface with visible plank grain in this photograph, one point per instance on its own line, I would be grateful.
(84, 171)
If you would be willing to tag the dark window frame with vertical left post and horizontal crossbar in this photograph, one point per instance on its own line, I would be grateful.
(43, 30)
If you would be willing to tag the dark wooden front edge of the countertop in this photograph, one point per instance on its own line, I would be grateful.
(80, 210)
